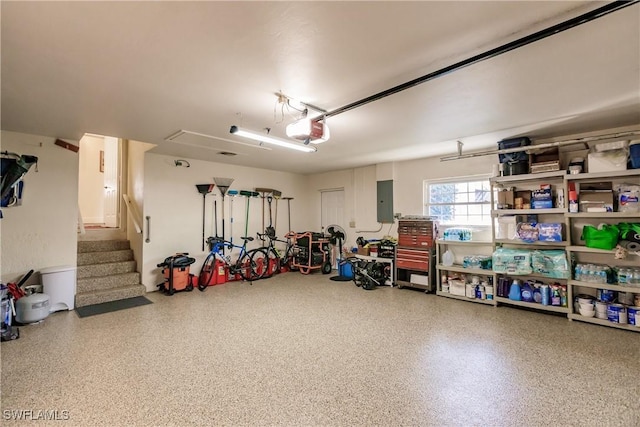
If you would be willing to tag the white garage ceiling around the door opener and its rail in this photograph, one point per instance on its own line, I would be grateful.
(145, 70)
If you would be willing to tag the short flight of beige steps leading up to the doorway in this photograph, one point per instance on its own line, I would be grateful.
(106, 272)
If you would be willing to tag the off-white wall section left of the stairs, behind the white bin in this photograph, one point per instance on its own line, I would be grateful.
(43, 231)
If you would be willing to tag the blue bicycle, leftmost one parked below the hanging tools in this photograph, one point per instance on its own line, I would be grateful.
(250, 265)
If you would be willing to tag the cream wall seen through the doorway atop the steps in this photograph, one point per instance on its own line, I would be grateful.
(91, 180)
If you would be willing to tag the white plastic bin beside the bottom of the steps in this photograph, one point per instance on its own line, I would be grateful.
(60, 284)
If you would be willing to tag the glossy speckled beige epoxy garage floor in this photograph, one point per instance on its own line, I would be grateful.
(303, 350)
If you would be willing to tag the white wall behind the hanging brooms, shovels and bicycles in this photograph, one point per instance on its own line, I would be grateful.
(174, 206)
